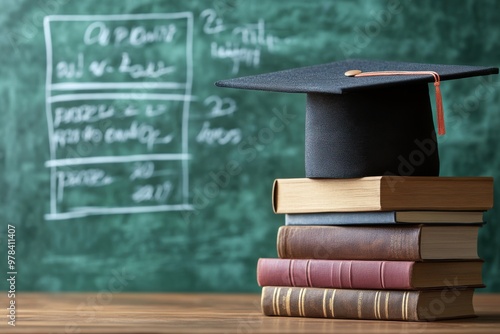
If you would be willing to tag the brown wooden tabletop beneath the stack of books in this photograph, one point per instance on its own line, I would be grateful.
(206, 313)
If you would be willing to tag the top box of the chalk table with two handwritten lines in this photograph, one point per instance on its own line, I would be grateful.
(133, 51)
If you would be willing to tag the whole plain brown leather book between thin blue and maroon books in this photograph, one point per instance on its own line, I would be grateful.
(385, 243)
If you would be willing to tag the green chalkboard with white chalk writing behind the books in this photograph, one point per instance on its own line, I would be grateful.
(121, 161)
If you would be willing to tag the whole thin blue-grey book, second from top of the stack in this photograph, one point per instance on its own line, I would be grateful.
(385, 217)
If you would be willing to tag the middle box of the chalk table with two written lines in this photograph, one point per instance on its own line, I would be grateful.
(88, 127)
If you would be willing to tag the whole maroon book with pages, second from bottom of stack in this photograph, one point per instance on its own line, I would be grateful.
(380, 275)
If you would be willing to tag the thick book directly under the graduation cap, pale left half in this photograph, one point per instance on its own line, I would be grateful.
(383, 193)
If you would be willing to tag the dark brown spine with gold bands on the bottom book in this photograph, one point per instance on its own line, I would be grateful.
(340, 303)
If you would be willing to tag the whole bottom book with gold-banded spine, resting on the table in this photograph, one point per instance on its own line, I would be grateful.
(420, 305)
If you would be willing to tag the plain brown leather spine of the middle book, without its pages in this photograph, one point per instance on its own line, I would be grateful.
(389, 243)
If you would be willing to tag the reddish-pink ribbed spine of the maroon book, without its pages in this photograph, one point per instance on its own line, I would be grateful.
(383, 275)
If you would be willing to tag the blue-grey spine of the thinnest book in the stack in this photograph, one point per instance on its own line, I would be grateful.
(341, 218)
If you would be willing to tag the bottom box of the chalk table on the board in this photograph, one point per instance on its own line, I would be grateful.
(118, 187)
